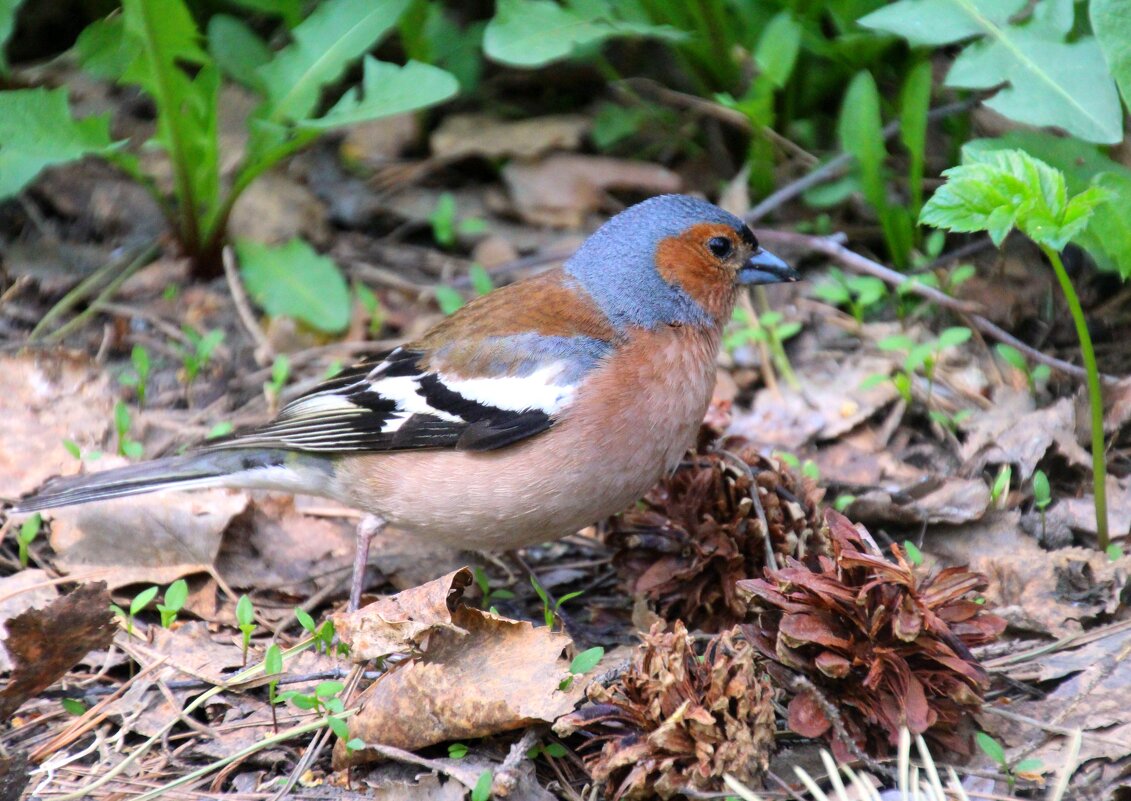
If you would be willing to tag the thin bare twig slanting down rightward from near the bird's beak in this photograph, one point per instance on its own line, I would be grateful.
(862, 264)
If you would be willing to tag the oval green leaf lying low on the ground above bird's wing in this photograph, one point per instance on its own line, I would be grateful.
(295, 281)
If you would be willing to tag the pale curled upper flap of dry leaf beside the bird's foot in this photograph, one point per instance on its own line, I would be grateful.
(403, 623)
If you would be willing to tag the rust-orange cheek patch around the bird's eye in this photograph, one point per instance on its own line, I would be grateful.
(685, 261)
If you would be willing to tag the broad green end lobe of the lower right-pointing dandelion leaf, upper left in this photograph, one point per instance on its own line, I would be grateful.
(388, 90)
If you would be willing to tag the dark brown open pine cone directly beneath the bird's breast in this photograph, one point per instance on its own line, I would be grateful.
(709, 527)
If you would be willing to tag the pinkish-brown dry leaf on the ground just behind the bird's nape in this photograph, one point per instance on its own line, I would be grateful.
(564, 190)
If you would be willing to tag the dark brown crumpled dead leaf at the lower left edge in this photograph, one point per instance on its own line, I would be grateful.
(46, 643)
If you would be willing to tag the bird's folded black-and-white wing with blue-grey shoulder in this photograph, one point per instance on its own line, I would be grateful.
(473, 397)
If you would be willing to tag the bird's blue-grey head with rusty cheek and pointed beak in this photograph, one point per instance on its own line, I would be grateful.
(672, 260)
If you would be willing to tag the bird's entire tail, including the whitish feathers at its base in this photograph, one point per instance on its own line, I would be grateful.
(245, 469)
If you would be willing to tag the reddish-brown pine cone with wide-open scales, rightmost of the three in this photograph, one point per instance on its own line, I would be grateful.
(873, 644)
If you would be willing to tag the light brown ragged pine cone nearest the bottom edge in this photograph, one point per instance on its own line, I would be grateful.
(677, 721)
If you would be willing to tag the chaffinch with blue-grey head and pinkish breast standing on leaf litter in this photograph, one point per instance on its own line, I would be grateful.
(528, 415)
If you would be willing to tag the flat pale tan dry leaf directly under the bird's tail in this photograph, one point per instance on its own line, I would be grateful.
(156, 539)
